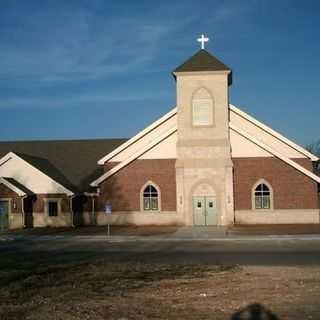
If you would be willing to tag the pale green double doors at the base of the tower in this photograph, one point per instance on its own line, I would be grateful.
(205, 211)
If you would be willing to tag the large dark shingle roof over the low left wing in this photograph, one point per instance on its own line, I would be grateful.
(72, 163)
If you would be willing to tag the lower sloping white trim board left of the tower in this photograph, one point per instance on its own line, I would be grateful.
(133, 157)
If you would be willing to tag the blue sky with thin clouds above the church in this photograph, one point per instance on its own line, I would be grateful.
(102, 69)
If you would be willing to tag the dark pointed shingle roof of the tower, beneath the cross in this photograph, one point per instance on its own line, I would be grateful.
(202, 61)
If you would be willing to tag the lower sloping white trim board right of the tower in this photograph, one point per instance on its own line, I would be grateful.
(275, 153)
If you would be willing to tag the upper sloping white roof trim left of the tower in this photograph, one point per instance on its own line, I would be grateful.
(138, 136)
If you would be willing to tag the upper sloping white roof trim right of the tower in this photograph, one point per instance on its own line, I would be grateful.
(273, 132)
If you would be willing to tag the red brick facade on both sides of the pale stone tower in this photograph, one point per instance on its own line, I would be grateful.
(292, 189)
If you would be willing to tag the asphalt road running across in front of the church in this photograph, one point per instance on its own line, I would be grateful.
(244, 252)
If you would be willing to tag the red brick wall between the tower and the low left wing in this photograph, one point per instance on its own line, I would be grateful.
(122, 190)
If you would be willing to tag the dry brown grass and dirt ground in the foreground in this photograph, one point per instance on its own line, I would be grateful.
(81, 287)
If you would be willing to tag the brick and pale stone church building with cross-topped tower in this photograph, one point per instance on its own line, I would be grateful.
(204, 163)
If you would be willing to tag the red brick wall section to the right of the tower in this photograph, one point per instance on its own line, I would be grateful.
(292, 189)
